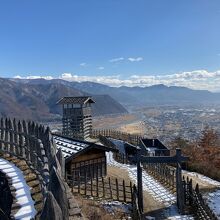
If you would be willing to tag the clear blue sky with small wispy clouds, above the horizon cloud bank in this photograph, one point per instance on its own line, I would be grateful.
(120, 38)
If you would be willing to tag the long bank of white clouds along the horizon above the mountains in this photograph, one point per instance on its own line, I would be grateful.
(198, 79)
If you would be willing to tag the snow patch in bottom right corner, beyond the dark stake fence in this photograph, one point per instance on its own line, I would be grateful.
(213, 200)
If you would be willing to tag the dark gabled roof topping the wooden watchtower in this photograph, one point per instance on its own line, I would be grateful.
(75, 100)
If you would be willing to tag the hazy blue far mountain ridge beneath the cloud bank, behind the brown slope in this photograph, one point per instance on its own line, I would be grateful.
(142, 96)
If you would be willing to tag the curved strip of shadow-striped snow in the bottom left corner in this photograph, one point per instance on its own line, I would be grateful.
(22, 193)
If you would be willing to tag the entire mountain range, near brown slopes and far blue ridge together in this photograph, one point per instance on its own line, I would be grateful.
(36, 98)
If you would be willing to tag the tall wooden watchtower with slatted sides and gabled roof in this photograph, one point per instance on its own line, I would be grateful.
(77, 116)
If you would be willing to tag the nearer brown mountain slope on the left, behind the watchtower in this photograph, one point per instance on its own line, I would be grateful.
(36, 100)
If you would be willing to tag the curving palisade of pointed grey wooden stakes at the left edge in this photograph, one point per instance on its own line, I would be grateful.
(28, 141)
